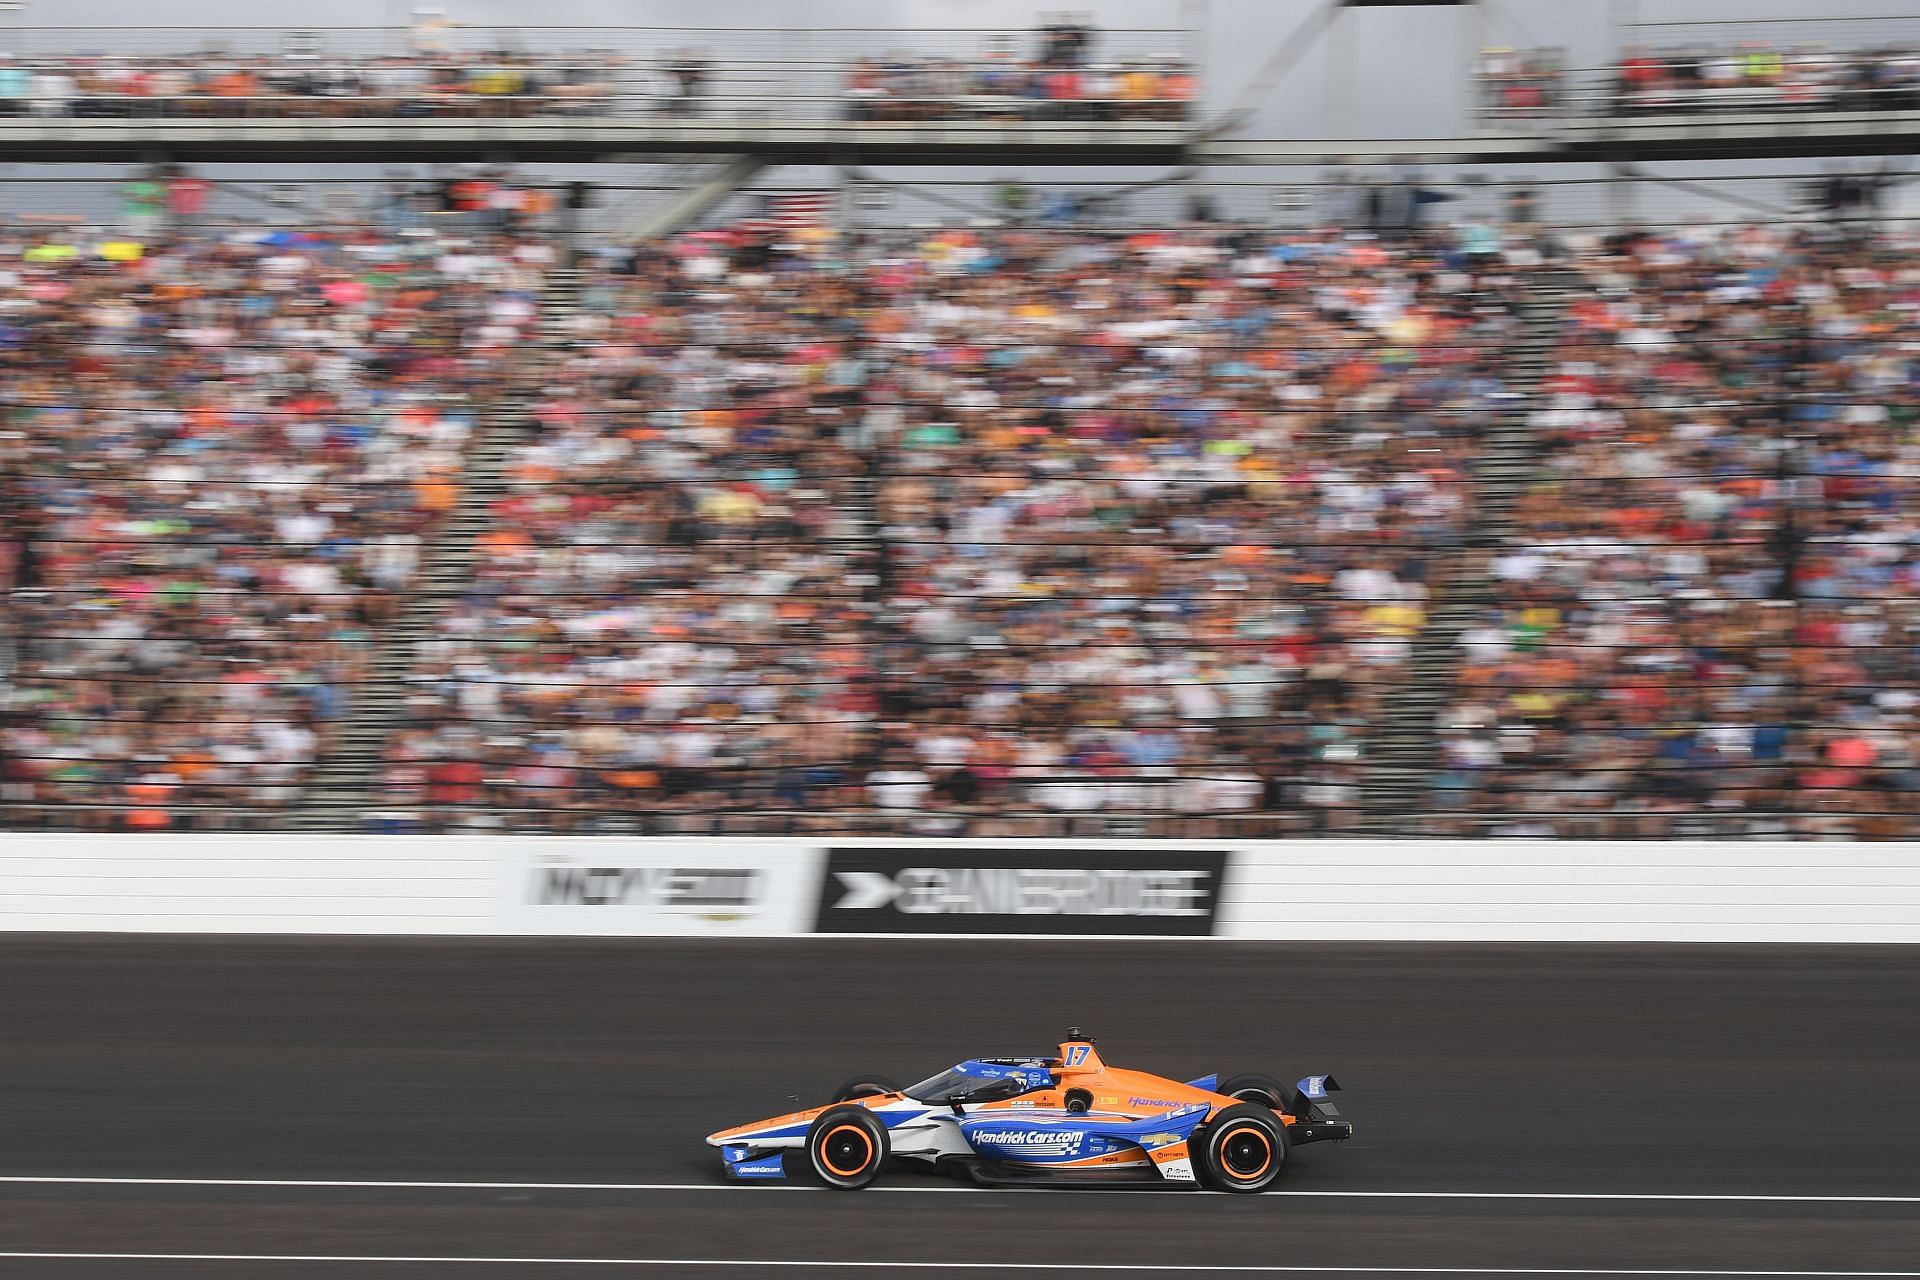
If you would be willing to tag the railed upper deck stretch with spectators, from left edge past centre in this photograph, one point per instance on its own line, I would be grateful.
(621, 72)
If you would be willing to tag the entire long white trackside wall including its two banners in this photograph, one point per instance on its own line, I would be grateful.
(1416, 891)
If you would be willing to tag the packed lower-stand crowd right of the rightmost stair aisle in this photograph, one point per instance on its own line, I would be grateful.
(1710, 609)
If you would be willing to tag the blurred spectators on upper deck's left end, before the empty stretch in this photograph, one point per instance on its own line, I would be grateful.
(398, 85)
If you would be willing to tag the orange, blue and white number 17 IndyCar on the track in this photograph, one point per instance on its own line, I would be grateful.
(1067, 1120)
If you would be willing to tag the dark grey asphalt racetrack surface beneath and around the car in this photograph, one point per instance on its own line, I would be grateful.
(339, 1110)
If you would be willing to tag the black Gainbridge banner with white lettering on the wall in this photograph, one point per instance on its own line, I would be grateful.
(940, 889)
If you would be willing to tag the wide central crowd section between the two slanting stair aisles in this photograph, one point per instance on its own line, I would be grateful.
(967, 529)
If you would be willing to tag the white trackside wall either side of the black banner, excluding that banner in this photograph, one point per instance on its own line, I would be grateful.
(1525, 891)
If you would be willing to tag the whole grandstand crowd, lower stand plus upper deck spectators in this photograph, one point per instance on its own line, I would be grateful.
(1335, 517)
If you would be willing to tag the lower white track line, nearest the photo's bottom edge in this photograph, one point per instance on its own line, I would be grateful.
(1168, 1269)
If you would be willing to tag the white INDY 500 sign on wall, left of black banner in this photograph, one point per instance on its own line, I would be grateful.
(658, 888)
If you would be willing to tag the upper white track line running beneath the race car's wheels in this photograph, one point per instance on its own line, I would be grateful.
(942, 1191)
